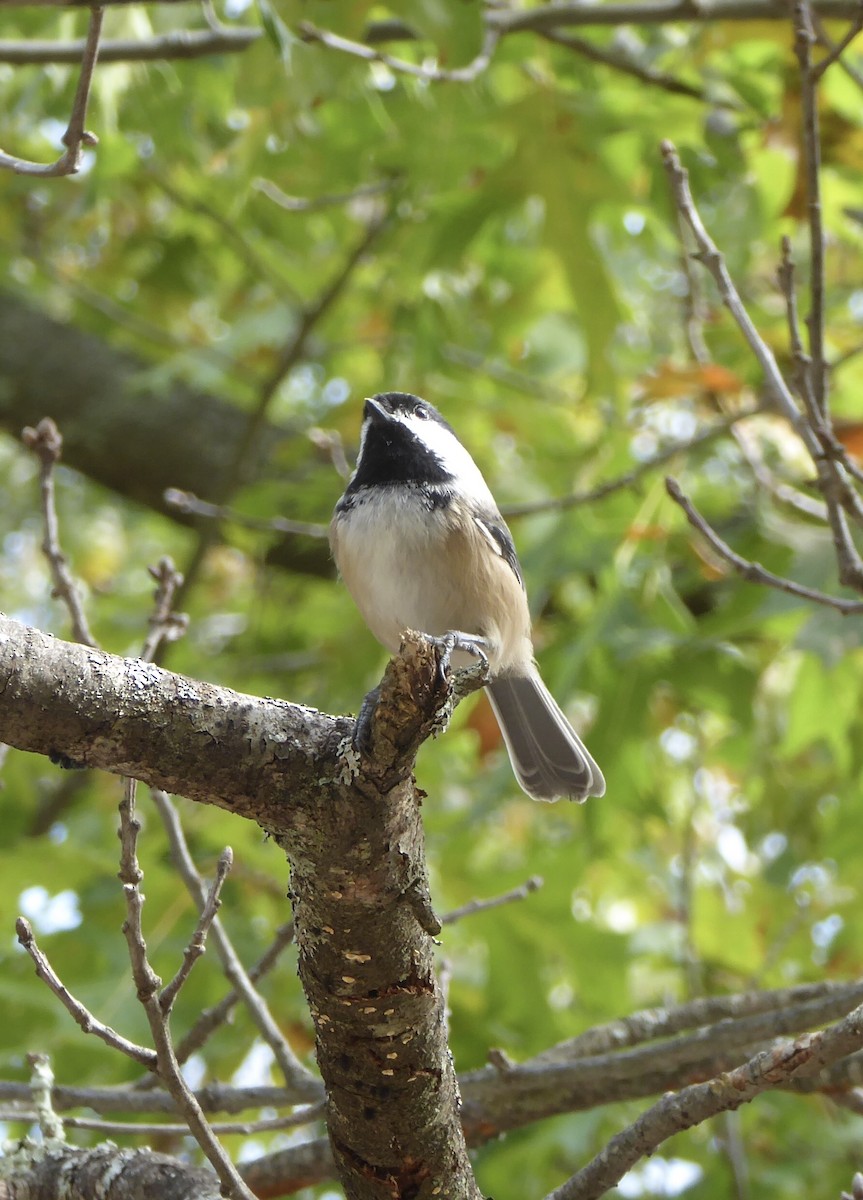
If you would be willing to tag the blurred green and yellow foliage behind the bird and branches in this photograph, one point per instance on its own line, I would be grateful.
(524, 272)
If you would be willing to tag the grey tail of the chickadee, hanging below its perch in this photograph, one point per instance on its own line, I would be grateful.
(548, 757)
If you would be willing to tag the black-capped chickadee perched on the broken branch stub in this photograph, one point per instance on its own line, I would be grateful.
(421, 544)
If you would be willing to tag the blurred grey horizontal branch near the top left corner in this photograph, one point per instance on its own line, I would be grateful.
(182, 44)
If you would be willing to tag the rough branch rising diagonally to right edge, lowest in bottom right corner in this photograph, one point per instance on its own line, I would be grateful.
(787, 1064)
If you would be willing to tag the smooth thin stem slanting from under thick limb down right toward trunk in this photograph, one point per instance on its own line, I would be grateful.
(297, 1077)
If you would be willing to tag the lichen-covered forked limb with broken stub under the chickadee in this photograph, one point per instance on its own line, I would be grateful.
(351, 829)
